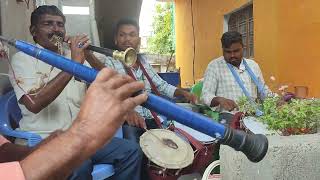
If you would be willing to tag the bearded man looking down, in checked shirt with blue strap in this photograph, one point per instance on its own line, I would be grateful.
(220, 86)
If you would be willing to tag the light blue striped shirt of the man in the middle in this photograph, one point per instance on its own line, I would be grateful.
(163, 87)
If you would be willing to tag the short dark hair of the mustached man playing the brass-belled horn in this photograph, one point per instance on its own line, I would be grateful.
(45, 9)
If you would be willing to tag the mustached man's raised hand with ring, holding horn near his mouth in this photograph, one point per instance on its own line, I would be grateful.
(78, 44)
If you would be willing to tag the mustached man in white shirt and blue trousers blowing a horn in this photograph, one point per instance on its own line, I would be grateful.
(50, 98)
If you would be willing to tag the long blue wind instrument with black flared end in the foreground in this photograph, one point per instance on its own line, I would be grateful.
(253, 146)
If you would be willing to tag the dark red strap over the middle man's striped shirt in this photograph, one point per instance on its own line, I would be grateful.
(153, 87)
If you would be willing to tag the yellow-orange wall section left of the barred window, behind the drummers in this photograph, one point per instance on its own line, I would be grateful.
(208, 21)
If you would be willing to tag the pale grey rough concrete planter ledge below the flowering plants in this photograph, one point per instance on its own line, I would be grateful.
(289, 157)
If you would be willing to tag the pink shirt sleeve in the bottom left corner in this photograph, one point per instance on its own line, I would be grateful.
(11, 170)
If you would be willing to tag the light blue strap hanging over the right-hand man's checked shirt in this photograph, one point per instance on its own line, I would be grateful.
(245, 91)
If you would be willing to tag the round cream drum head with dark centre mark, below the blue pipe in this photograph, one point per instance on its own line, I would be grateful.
(166, 149)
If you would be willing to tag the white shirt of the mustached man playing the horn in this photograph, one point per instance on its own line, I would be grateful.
(59, 114)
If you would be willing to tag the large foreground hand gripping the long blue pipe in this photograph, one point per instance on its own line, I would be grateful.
(107, 101)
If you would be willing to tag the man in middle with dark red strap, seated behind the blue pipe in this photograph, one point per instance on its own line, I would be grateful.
(126, 36)
